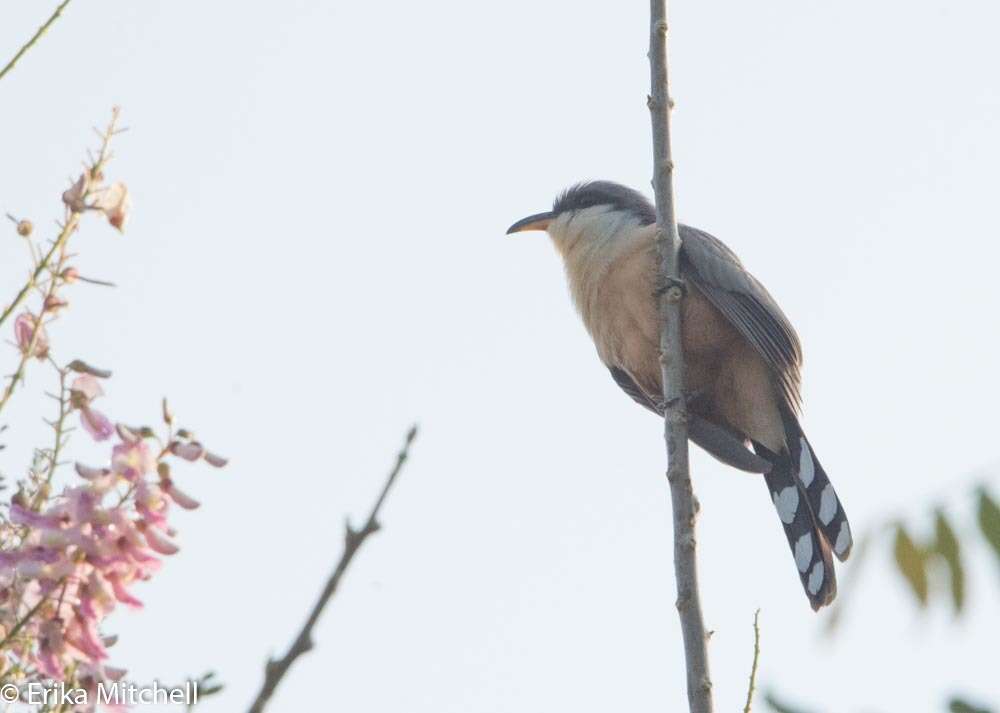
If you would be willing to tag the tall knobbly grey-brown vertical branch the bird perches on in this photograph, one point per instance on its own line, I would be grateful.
(671, 292)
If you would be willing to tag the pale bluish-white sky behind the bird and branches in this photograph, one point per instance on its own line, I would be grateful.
(317, 258)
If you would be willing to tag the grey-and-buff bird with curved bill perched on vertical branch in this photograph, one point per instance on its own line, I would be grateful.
(742, 357)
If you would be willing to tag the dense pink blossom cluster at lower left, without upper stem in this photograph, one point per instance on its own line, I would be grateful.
(77, 556)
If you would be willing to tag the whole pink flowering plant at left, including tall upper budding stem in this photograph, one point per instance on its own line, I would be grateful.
(74, 543)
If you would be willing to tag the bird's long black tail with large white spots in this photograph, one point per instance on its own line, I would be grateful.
(814, 520)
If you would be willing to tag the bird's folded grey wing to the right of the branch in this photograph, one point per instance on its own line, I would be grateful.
(719, 275)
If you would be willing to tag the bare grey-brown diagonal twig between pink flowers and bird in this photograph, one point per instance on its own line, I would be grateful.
(276, 669)
